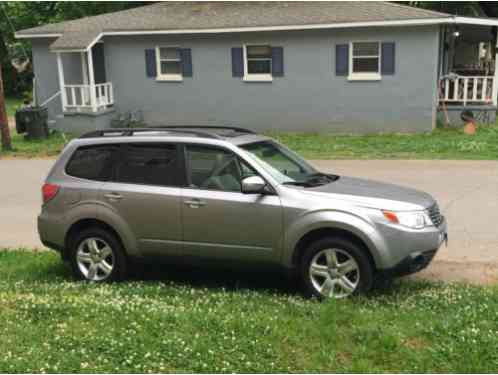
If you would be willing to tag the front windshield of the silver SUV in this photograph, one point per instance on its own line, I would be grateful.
(284, 165)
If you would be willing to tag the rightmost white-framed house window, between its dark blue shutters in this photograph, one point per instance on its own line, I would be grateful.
(365, 61)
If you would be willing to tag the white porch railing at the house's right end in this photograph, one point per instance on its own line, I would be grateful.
(466, 89)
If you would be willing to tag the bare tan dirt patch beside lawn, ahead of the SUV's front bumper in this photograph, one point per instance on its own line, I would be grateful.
(472, 272)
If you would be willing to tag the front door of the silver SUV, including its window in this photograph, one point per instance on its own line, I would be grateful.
(219, 221)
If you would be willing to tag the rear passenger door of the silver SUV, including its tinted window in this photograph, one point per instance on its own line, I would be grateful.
(144, 196)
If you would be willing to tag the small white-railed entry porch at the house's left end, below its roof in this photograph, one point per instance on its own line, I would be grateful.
(83, 84)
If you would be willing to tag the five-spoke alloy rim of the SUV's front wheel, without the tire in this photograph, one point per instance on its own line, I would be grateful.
(334, 273)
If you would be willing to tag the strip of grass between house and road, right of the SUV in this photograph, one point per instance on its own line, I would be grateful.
(440, 144)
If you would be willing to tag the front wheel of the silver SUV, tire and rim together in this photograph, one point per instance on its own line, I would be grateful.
(324, 275)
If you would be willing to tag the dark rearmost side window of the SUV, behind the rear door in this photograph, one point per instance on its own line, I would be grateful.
(92, 163)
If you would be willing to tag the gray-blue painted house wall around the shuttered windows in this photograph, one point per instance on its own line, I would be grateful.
(310, 97)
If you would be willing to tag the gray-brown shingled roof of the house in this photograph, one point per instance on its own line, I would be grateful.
(198, 16)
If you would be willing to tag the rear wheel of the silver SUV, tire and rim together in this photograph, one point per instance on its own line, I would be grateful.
(104, 263)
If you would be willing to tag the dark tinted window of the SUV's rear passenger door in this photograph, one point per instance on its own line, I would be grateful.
(148, 164)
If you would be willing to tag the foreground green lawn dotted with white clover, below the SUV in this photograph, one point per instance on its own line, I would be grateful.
(211, 321)
